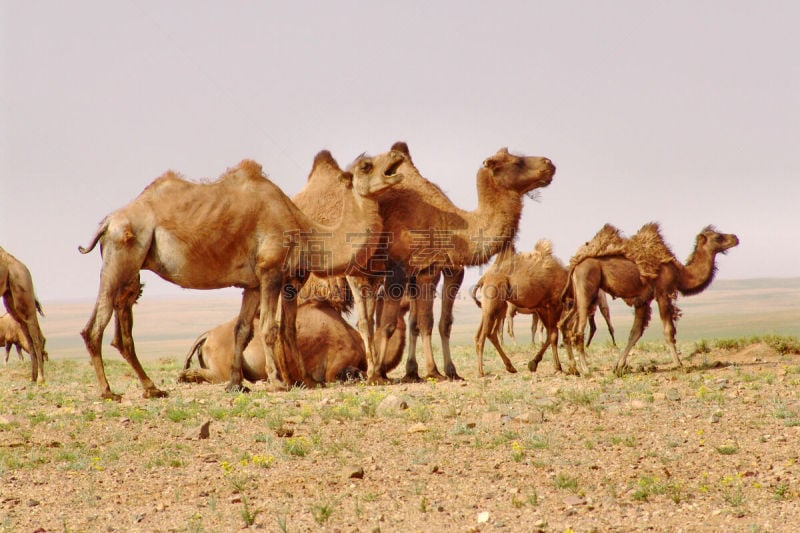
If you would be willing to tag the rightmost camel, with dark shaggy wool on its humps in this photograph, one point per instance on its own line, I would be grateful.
(639, 270)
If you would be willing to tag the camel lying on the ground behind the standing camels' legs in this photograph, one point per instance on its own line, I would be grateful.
(331, 349)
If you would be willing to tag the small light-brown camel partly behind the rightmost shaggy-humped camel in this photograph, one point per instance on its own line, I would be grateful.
(529, 280)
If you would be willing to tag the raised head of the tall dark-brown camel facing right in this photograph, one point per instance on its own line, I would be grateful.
(517, 173)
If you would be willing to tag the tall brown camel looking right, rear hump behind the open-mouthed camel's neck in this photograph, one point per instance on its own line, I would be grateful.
(424, 232)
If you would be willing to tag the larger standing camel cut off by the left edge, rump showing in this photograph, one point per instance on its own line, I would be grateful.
(16, 287)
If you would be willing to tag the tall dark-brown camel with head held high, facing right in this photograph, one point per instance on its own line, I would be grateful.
(430, 236)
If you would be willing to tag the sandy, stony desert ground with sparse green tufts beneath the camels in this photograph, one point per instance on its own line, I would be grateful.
(712, 447)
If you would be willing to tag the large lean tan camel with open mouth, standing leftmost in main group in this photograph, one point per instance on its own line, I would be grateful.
(240, 230)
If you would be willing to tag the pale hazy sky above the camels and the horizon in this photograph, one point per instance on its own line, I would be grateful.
(686, 112)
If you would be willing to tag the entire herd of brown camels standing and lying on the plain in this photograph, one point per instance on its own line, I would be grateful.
(376, 236)
